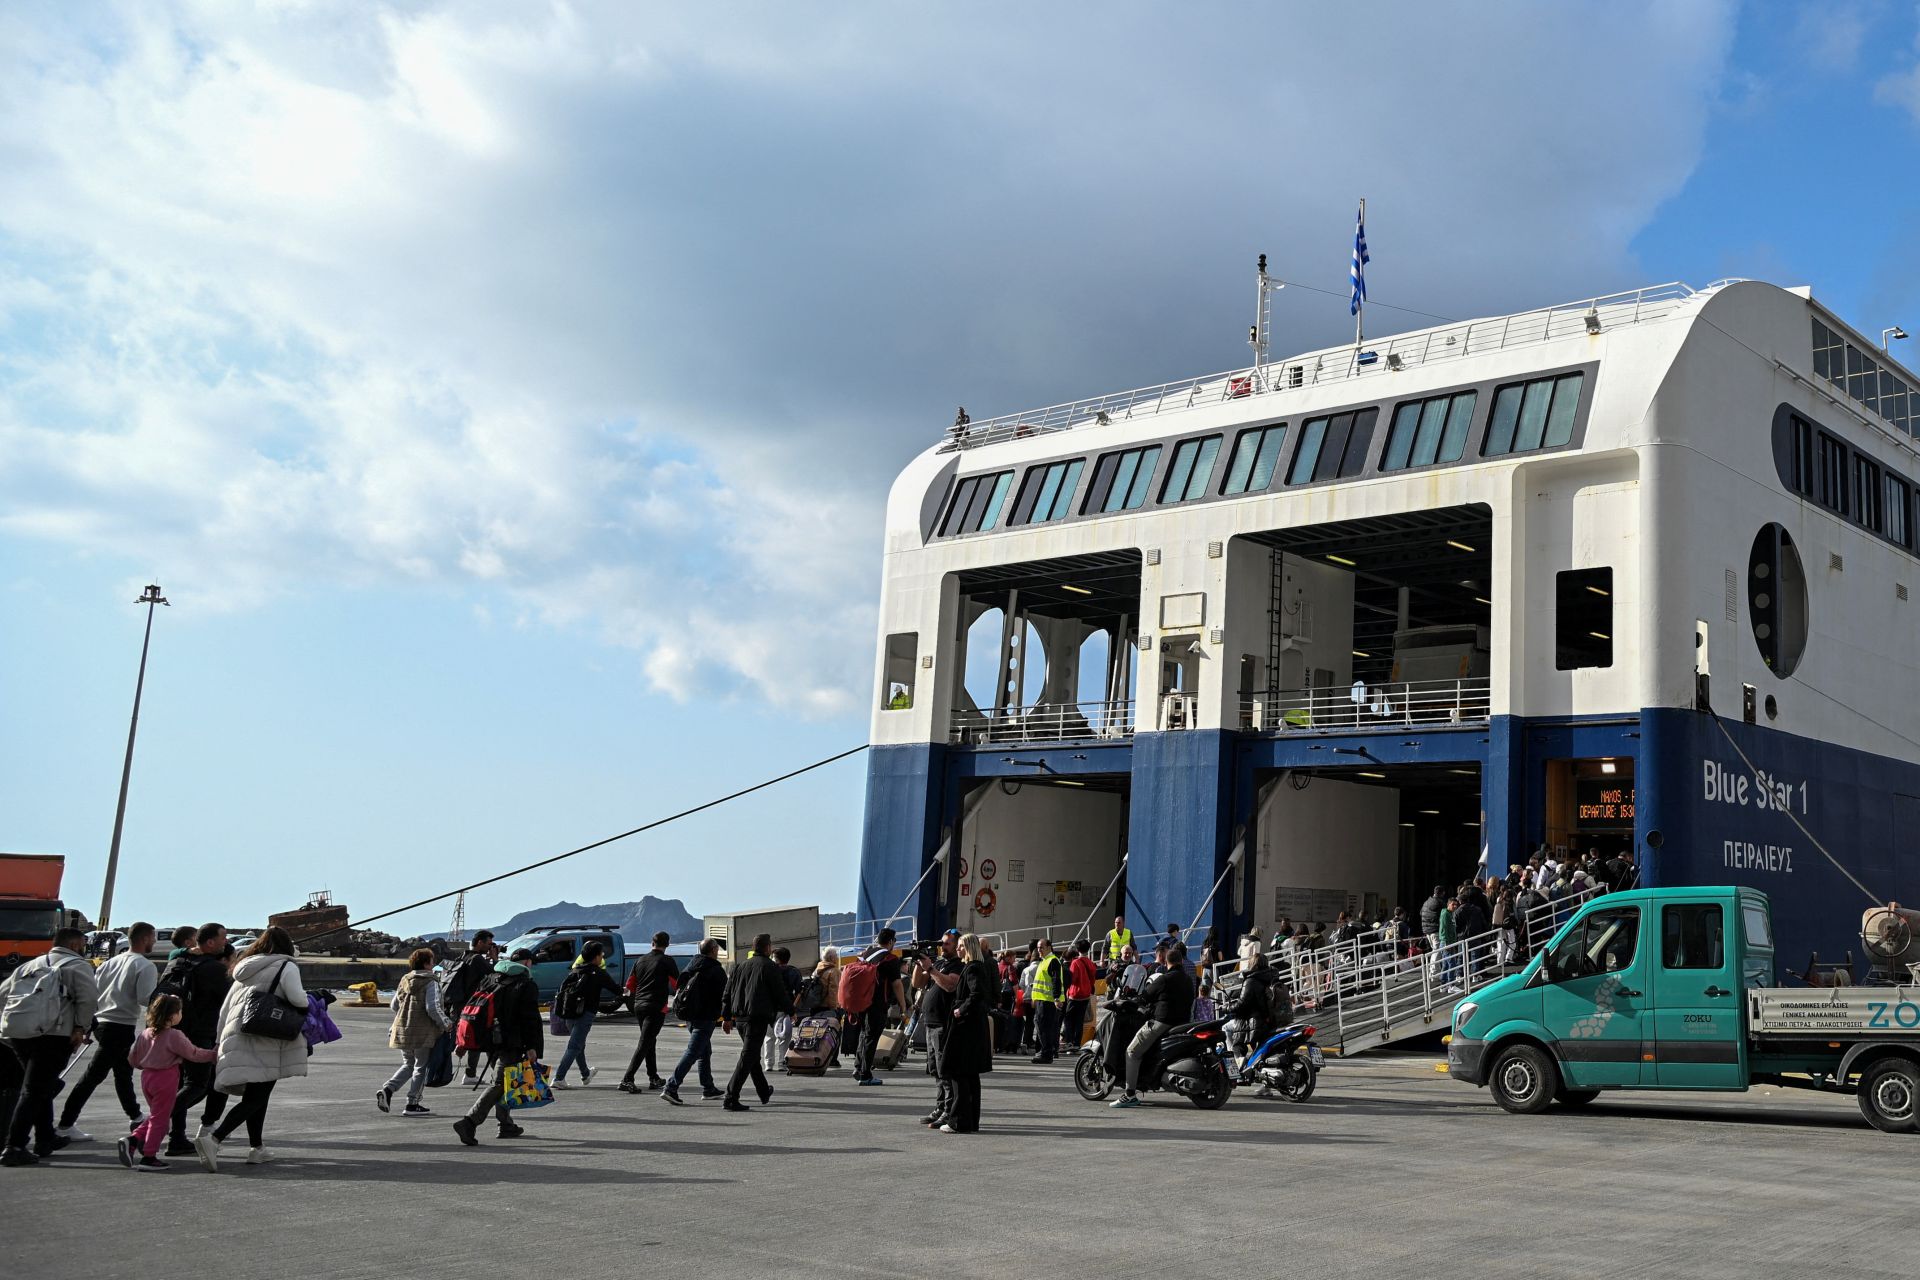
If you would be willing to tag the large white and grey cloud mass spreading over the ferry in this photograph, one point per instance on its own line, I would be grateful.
(627, 314)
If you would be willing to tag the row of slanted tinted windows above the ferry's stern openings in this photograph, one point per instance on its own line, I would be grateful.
(1424, 433)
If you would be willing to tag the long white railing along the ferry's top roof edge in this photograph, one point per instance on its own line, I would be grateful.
(1591, 316)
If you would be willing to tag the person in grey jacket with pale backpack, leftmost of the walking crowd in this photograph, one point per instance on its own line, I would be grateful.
(45, 1012)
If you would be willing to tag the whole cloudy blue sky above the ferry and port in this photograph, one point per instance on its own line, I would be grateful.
(506, 398)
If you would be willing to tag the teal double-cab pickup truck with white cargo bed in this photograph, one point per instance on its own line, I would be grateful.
(1673, 989)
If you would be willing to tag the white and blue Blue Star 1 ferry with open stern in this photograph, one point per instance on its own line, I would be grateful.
(1324, 632)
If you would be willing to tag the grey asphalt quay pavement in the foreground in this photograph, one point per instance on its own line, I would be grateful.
(1391, 1170)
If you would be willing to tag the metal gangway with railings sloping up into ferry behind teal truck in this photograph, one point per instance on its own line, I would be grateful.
(1368, 991)
